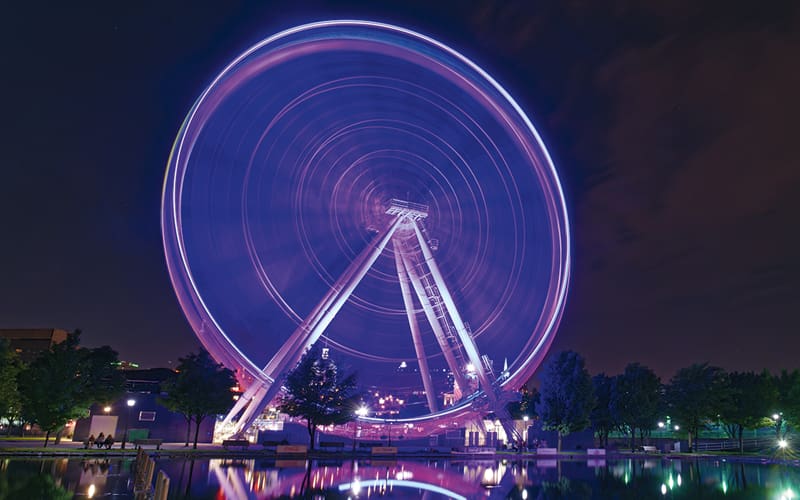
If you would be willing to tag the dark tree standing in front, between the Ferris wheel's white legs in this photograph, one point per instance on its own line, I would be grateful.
(317, 392)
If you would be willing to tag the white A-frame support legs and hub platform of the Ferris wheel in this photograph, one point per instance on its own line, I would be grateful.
(416, 268)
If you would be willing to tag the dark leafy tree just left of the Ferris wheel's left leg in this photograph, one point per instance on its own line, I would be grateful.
(200, 388)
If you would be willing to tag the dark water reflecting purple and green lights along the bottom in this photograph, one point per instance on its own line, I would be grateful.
(429, 479)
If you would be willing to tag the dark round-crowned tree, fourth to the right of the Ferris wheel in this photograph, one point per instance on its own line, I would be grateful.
(696, 395)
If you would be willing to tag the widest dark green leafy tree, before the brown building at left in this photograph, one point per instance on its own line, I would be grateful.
(64, 381)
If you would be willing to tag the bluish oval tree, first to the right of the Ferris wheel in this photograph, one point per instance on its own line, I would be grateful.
(567, 396)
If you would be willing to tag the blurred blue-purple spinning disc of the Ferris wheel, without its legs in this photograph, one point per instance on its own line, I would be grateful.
(457, 108)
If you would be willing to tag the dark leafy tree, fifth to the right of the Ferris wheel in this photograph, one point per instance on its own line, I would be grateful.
(751, 398)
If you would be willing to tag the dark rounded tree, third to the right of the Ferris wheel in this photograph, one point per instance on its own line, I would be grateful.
(636, 400)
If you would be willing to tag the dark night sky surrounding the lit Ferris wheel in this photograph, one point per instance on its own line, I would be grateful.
(673, 129)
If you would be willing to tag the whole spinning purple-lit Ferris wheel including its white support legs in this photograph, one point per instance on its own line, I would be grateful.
(368, 187)
